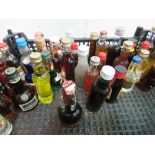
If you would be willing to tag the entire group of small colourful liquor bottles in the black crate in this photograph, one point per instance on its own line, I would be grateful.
(103, 70)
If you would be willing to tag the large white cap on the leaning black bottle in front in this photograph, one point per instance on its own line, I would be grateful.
(107, 72)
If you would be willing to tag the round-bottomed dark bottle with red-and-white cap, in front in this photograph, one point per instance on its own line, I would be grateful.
(70, 112)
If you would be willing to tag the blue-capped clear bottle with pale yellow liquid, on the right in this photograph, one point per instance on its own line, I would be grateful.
(132, 76)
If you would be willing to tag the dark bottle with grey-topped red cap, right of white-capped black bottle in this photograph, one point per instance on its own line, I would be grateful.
(117, 84)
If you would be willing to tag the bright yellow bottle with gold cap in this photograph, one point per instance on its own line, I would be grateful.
(41, 79)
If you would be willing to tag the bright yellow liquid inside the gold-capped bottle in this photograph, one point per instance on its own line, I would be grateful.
(42, 83)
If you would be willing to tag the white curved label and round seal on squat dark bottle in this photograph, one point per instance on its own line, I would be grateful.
(29, 105)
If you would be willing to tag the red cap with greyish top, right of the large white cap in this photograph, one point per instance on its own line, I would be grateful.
(120, 71)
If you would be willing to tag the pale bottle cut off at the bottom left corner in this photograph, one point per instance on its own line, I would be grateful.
(5, 126)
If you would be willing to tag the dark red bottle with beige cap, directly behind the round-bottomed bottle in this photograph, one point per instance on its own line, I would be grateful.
(68, 62)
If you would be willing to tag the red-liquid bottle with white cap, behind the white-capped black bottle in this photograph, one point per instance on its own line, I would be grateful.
(92, 74)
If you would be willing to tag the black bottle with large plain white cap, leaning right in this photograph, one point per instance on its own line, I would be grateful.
(100, 89)
